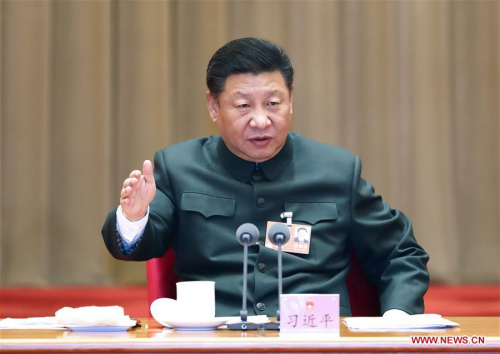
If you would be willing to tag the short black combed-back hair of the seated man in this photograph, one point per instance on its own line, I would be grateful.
(247, 55)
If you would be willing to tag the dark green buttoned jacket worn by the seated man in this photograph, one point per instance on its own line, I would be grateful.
(204, 193)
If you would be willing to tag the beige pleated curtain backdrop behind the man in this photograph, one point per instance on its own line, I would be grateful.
(89, 89)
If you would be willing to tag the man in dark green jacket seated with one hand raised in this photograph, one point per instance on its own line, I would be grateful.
(203, 189)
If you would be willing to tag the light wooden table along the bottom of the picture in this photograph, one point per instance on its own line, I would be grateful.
(152, 338)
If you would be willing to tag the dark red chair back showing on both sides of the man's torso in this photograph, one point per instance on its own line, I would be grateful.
(362, 294)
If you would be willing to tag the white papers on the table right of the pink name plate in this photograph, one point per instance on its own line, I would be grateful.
(425, 321)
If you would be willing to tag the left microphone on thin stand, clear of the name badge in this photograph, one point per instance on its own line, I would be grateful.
(247, 235)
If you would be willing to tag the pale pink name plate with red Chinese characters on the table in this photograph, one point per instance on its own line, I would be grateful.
(309, 314)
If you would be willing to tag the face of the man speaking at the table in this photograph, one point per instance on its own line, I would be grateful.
(253, 114)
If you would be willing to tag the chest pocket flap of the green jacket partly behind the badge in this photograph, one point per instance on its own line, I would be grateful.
(312, 212)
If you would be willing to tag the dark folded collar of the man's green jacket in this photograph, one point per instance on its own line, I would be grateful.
(243, 169)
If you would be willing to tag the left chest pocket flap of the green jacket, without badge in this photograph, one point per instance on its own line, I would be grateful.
(208, 205)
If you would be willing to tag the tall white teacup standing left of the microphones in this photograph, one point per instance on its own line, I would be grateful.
(196, 299)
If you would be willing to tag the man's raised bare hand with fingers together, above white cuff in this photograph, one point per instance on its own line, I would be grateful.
(138, 191)
